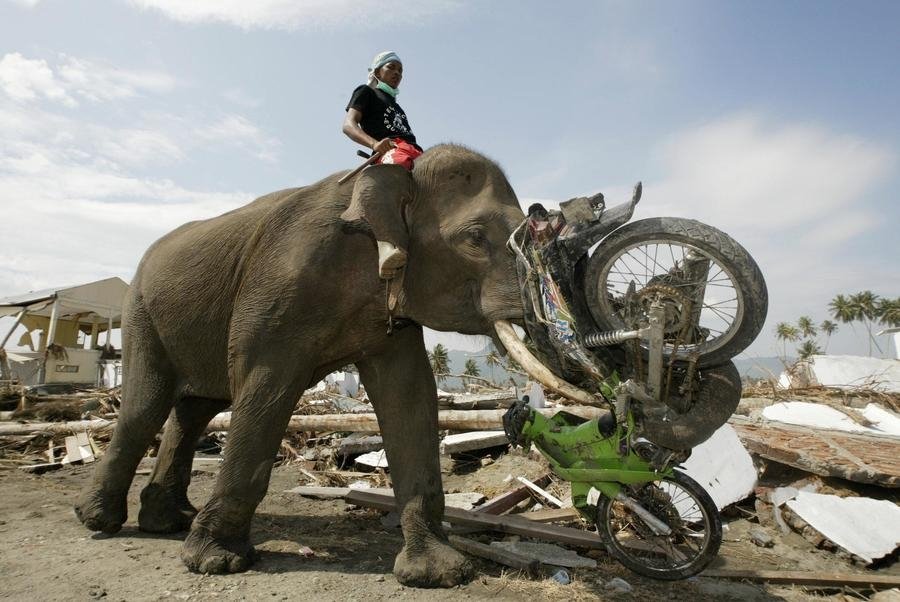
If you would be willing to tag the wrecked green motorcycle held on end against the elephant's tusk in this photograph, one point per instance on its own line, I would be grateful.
(646, 325)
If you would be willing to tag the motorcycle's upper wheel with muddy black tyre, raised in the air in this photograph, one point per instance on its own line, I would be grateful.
(652, 253)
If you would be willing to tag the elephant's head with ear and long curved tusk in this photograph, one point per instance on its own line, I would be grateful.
(454, 214)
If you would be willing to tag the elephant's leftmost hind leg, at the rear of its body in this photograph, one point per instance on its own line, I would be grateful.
(147, 396)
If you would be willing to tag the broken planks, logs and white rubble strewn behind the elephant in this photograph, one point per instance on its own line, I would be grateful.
(807, 470)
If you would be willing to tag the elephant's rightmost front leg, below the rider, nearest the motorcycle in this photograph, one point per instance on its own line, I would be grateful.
(401, 386)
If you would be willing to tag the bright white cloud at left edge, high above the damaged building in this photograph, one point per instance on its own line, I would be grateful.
(24, 79)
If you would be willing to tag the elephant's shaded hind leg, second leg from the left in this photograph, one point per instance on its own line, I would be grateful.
(164, 503)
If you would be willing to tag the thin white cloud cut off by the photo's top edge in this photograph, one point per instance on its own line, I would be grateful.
(293, 15)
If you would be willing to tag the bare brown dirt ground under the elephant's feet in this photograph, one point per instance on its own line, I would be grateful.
(45, 554)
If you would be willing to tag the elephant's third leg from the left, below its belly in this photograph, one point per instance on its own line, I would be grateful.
(219, 541)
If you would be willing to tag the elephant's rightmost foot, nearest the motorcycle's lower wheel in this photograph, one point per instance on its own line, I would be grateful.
(435, 564)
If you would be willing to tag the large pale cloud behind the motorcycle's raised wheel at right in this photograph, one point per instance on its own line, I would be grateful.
(793, 195)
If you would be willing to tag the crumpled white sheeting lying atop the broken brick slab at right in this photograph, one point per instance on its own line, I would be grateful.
(825, 417)
